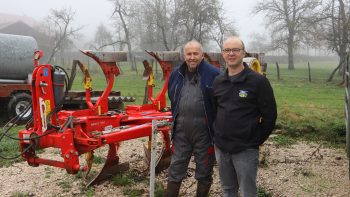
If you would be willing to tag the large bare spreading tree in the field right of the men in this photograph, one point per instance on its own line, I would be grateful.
(288, 21)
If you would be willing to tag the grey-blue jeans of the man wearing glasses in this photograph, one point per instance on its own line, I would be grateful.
(238, 171)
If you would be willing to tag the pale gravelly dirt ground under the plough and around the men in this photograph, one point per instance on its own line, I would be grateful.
(301, 170)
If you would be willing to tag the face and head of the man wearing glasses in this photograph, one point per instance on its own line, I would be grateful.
(233, 53)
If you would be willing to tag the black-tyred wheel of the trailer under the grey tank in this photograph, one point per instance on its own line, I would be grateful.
(17, 104)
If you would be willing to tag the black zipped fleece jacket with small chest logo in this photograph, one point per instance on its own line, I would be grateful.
(245, 111)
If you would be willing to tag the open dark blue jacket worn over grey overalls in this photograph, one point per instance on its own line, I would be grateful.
(207, 74)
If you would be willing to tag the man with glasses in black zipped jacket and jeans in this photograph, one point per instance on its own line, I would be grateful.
(246, 115)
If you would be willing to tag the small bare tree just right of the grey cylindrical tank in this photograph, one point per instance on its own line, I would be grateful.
(59, 27)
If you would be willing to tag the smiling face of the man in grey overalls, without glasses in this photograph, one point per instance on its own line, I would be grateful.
(193, 56)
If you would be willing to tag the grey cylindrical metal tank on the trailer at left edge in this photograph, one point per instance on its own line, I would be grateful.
(16, 56)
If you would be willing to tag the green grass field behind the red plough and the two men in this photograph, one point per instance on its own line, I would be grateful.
(309, 110)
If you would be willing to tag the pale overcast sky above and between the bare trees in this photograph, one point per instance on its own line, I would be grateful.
(90, 13)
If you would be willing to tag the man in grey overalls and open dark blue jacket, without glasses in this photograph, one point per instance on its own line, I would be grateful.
(189, 91)
